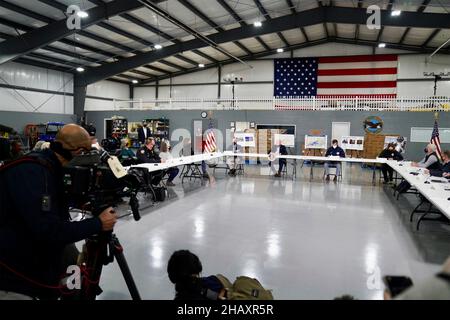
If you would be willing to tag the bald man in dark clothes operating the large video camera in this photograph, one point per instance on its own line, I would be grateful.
(36, 233)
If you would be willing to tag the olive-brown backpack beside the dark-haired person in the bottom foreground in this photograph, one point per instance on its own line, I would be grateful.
(245, 288)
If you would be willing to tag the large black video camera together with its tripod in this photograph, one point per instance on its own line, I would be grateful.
(93, 182)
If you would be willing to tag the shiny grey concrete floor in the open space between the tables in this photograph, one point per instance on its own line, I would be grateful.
(304, 240)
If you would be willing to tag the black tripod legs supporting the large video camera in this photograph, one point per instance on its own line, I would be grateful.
(100, 250)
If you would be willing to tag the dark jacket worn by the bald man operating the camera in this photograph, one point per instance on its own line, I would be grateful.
(32, 234)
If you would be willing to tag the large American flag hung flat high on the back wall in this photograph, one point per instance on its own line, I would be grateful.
(349, 76)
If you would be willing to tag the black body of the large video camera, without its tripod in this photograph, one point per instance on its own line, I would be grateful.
(90, 185)
